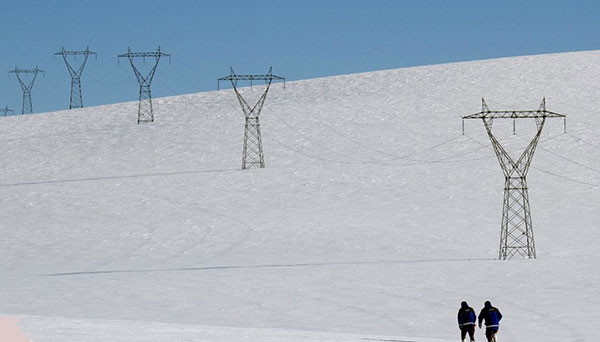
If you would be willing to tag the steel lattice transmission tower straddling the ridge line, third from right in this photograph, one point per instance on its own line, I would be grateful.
(145, 113)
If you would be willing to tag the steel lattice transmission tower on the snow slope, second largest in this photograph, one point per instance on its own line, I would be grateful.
(253, 153)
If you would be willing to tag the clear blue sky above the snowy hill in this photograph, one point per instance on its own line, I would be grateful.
(300, 39)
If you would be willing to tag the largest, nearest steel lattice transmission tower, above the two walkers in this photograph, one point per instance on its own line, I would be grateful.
(516, 236)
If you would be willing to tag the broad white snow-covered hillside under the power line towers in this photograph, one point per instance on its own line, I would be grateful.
(373, 219)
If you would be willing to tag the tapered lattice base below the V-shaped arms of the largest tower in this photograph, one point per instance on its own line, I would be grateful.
(516, 236)
